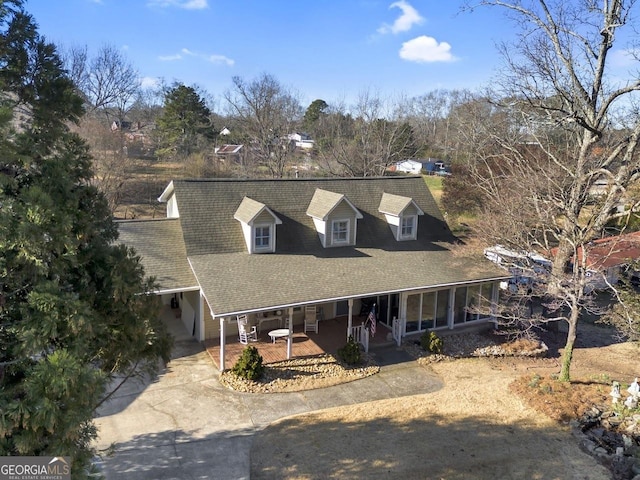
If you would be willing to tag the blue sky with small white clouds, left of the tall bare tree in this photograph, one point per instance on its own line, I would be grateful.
(328, 49)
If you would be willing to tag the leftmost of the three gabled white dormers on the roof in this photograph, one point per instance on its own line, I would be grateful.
(258, 225)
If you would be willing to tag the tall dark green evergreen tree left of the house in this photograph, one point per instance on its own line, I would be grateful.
(72, 316)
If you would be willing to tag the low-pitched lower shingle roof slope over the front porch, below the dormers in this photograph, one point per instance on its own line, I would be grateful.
(234, 283)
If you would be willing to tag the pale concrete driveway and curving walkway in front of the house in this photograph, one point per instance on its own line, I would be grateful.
(185, 425)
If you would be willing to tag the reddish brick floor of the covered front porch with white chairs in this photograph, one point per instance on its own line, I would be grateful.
(332, 336)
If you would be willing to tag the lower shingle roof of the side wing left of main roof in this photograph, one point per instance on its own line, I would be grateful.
(161, 247)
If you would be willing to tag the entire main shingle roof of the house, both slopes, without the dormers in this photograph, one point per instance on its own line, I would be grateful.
(302, 270)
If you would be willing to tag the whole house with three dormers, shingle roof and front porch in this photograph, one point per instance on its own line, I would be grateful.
(234, 247)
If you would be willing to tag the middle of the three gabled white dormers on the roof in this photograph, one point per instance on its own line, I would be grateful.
(334, 217)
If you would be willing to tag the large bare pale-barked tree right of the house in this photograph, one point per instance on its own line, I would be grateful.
(572, 123)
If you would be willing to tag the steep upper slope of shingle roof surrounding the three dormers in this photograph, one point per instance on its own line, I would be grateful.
(207, 209)
